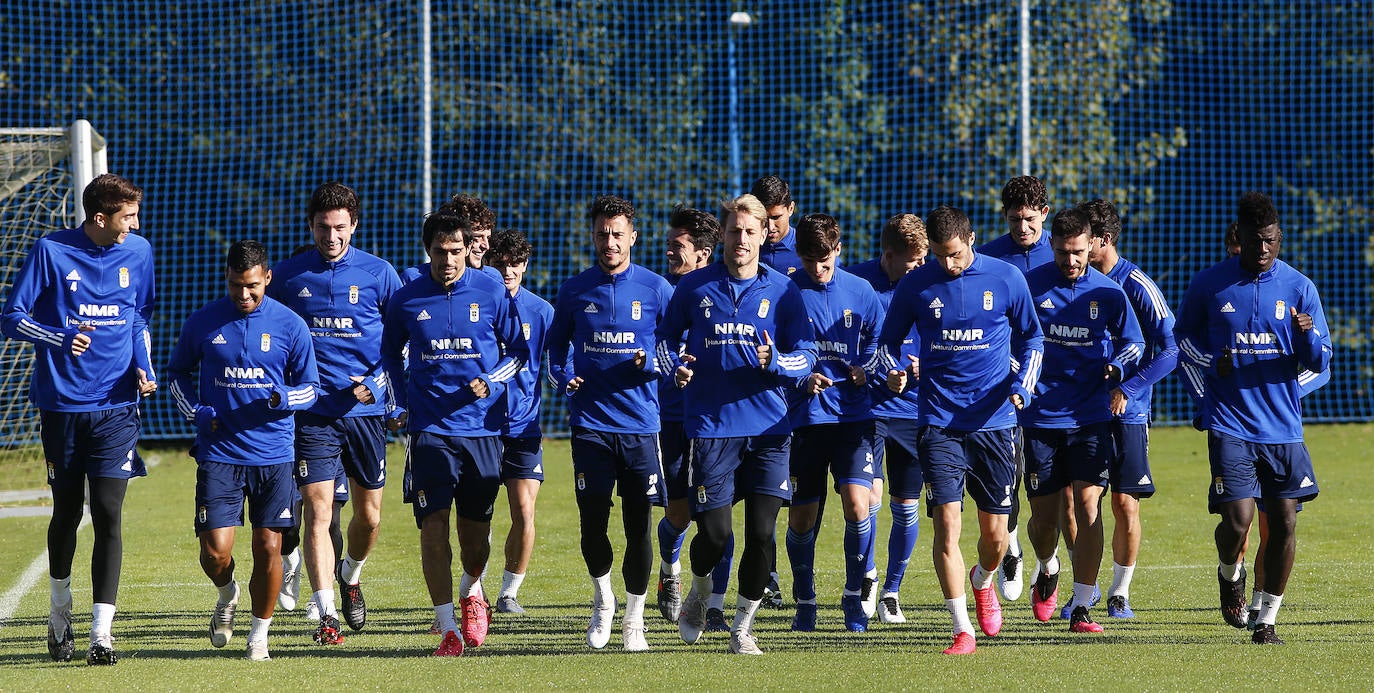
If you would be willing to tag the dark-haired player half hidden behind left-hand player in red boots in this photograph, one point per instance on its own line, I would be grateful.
(523, 442)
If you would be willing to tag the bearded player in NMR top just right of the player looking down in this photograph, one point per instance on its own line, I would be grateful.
(1092, 338)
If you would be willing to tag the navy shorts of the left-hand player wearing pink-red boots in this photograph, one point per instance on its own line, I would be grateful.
(449, 471)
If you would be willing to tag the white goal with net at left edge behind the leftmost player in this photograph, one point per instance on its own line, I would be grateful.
(42, 175)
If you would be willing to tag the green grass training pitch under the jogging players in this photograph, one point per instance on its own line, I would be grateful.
(1178, 641)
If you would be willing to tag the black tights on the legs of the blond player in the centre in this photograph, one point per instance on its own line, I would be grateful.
(714, 530)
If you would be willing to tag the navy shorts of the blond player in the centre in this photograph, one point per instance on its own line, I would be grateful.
(726, 471)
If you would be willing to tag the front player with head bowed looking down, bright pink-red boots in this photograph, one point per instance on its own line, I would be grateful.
(973, 316)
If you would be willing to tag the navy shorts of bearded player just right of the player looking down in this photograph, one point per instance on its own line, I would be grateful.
(1060, 457)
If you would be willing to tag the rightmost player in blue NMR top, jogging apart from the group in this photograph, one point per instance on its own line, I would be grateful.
(1252, 324)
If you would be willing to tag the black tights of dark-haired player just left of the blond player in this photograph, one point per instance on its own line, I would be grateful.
(638, 518)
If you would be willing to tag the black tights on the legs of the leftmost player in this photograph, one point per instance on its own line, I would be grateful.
(108, 548)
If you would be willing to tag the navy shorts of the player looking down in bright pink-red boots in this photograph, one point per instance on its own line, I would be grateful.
(979, 461)
